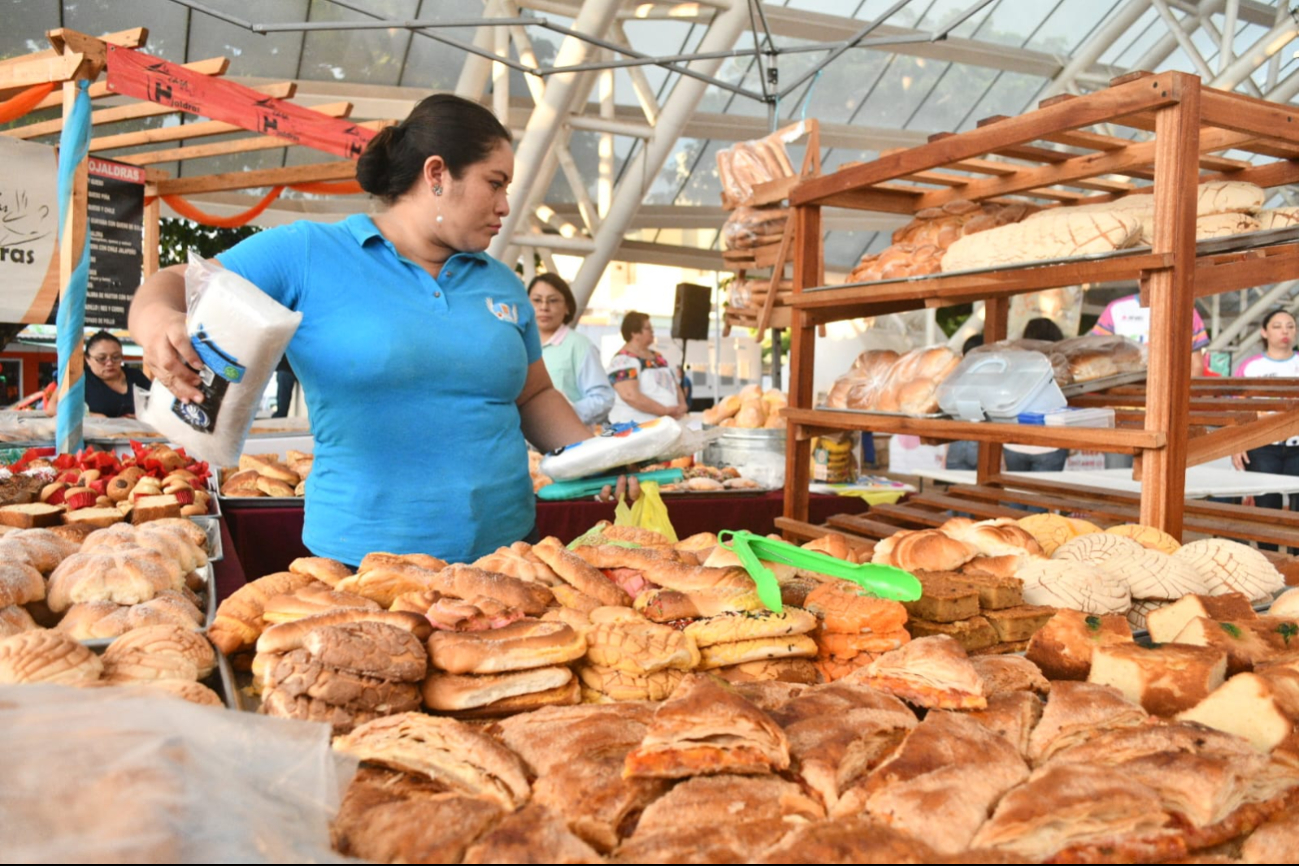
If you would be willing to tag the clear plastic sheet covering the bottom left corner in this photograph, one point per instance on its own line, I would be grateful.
(108, 776)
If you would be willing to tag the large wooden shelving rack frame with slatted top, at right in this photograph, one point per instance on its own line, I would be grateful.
(1192, 127)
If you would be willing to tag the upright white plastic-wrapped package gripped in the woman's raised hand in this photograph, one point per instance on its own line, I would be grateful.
(241, 333)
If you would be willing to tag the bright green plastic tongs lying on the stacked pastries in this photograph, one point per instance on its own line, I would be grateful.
(881, 581)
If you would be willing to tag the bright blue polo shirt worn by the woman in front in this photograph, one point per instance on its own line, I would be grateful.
(411, 385)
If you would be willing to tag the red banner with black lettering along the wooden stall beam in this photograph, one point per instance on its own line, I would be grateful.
(133, 73)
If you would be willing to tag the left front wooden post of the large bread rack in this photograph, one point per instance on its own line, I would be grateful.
(809, 272)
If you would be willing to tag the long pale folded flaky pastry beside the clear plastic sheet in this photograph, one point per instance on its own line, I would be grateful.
(442, 750)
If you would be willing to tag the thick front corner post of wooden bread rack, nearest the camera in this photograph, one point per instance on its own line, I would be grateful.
(1171, 302)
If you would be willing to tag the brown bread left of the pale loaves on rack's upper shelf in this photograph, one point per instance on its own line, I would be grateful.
(918, 249)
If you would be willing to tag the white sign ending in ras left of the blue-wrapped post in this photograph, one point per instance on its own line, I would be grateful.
(29, 232)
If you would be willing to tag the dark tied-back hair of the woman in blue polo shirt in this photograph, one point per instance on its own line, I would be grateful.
(460, 132)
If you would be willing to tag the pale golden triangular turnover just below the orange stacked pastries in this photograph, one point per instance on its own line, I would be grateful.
(929, 672)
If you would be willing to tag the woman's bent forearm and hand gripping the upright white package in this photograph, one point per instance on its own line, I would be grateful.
(157, 323)
